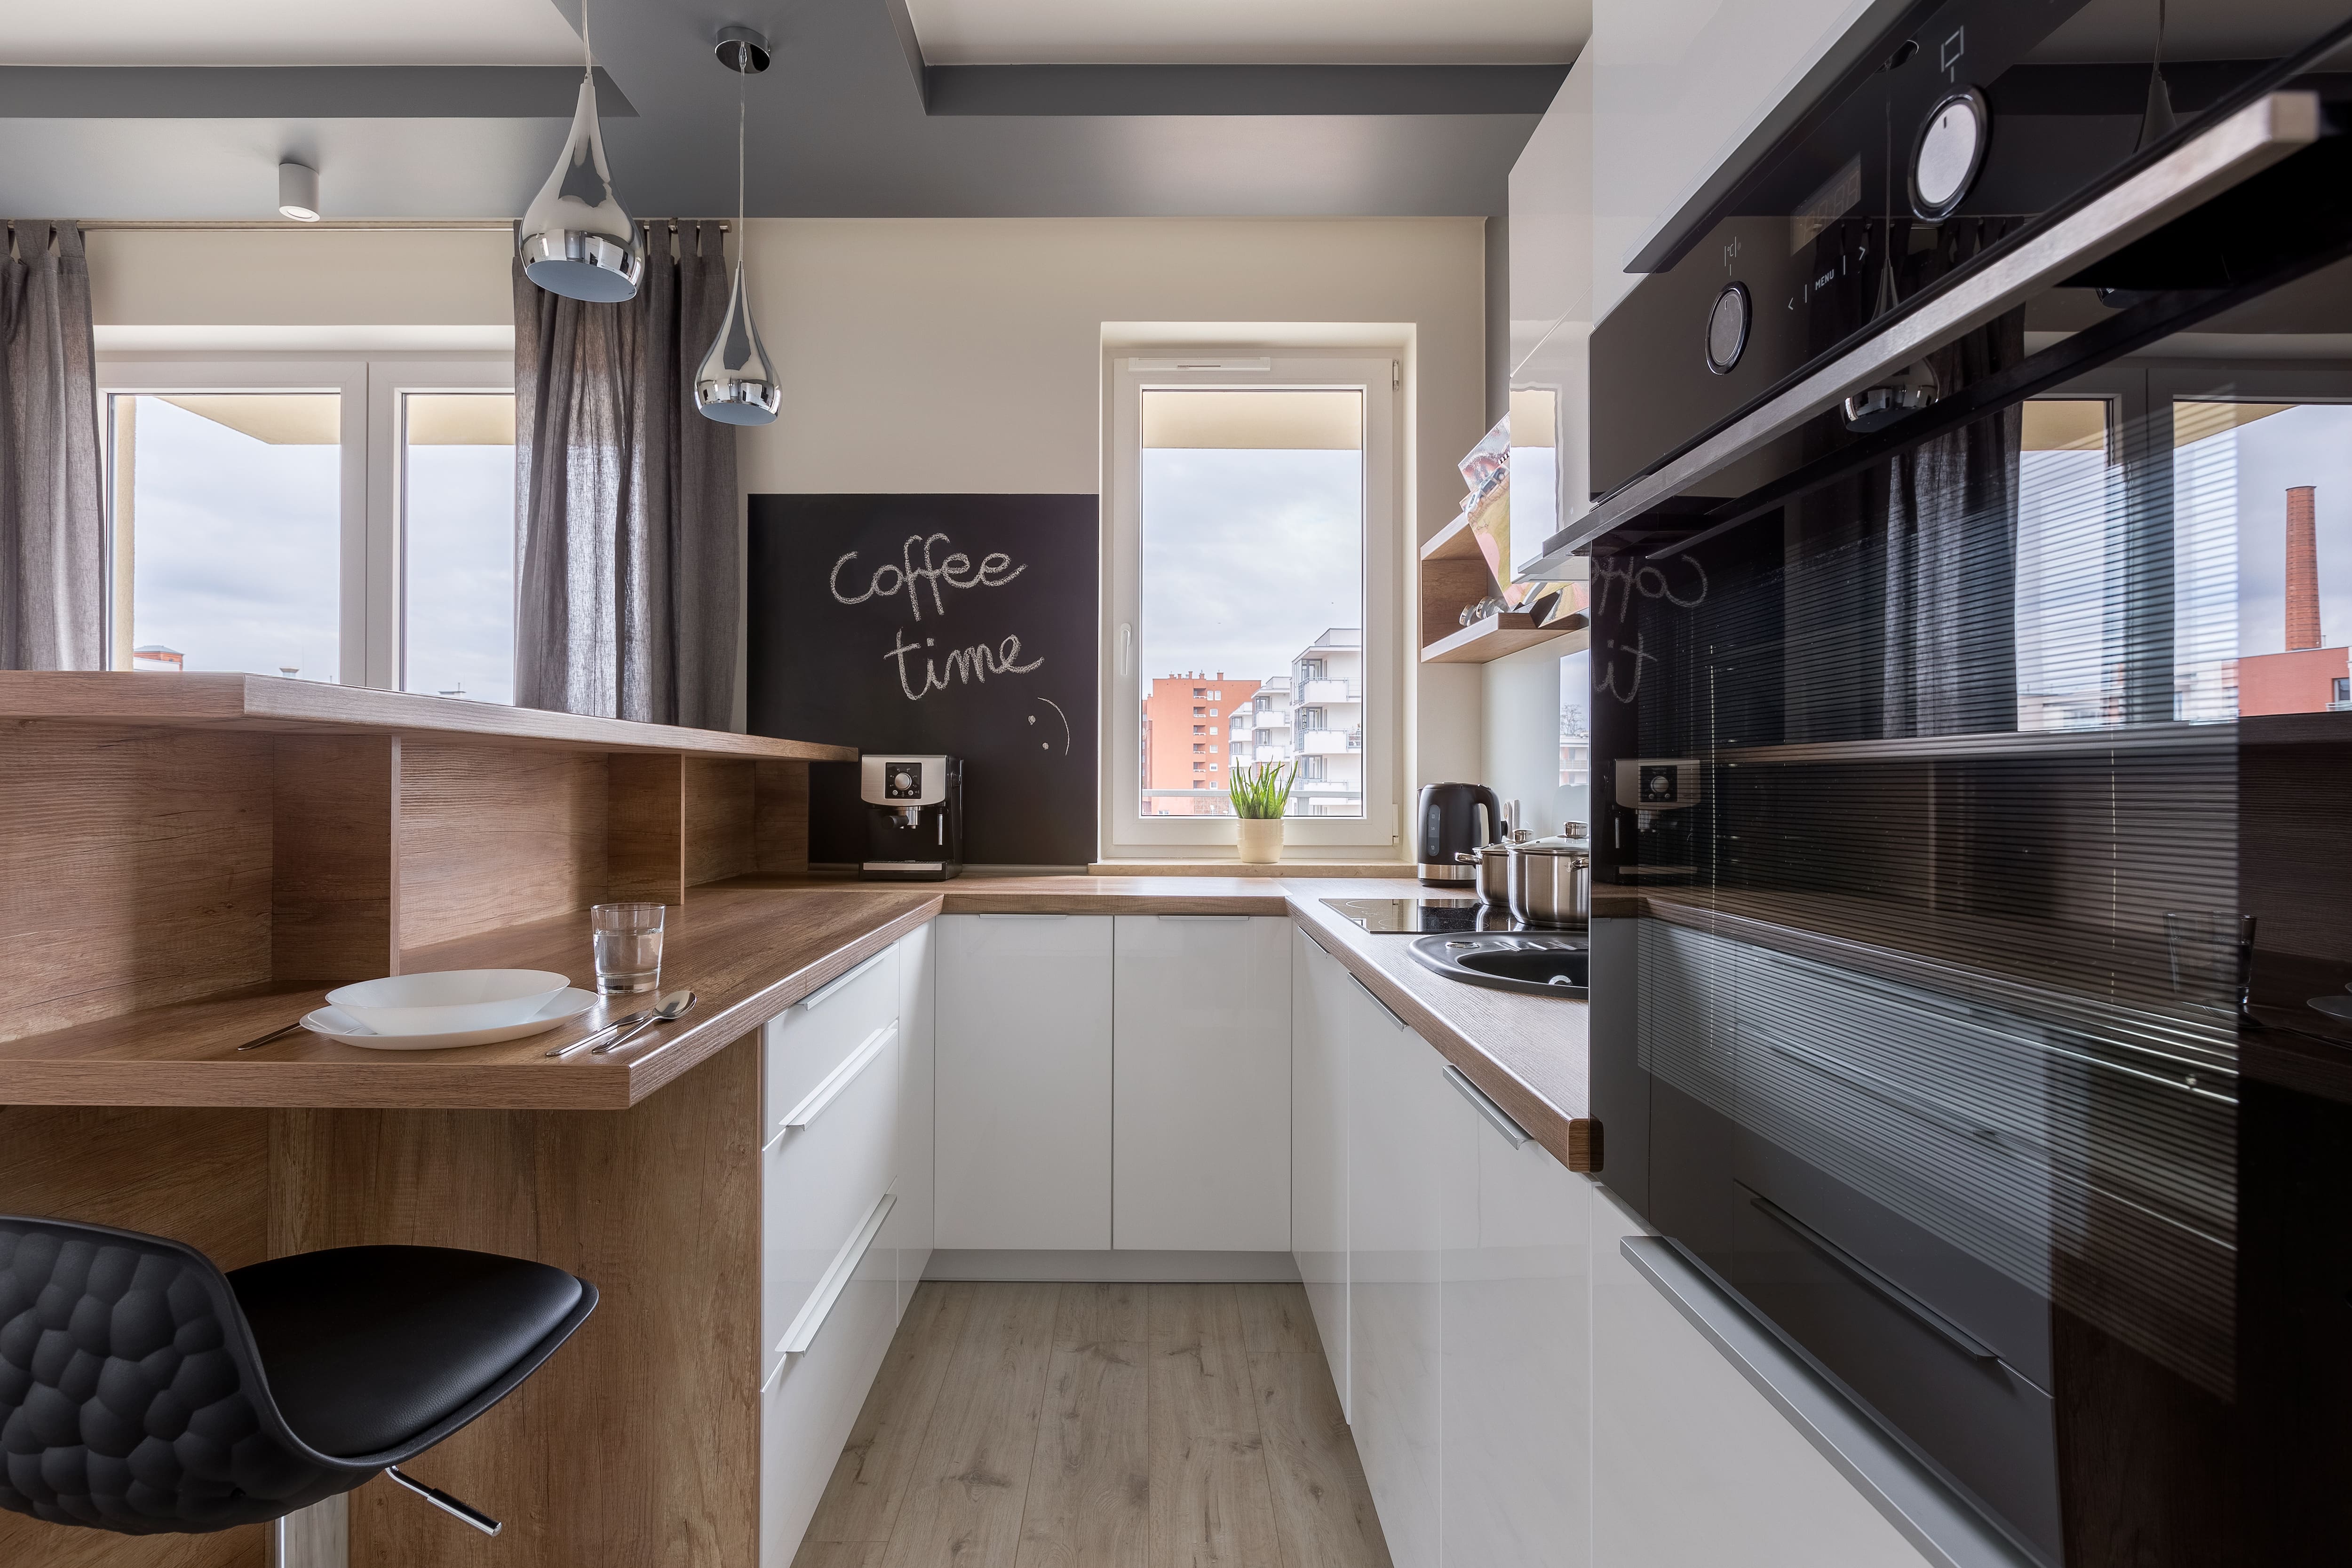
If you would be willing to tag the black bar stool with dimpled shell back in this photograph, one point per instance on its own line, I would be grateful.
(142, 1391)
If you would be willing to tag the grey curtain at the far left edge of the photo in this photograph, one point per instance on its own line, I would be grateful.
(53, 504)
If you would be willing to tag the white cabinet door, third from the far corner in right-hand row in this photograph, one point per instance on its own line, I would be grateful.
(1516, 1320)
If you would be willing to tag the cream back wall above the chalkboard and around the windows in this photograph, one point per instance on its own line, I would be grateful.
(921, 356)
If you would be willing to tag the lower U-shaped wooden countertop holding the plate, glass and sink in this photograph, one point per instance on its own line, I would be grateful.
(751, 949)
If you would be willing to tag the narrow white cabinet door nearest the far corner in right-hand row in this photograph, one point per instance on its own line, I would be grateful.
(1321, 1151)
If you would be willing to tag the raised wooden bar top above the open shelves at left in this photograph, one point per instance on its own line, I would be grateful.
(298, 706)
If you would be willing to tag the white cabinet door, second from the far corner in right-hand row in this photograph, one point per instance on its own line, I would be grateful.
(1401, 1125)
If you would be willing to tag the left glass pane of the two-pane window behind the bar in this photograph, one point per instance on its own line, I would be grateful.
(229, 532)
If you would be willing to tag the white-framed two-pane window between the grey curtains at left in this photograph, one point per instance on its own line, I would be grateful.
(321, 516)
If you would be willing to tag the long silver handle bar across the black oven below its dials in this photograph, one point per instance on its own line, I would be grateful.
(2210, 163)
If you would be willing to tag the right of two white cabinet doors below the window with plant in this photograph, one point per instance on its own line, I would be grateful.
(1201, 1108)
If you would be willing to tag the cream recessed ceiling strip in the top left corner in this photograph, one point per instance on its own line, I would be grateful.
(288, 34)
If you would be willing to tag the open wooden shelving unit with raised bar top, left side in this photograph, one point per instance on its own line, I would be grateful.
(180, 838)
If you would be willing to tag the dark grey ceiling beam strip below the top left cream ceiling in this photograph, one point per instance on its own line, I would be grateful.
(300, 93)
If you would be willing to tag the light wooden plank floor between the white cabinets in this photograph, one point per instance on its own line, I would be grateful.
(1062, 1426)
